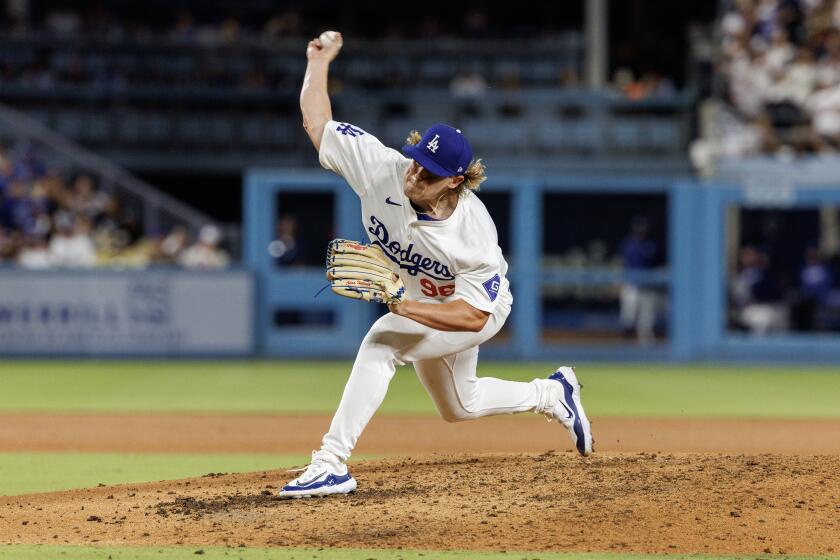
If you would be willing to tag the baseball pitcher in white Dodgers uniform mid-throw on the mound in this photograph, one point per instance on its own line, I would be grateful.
(433, 258)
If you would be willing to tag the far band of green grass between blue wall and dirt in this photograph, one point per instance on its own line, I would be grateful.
(315, 387)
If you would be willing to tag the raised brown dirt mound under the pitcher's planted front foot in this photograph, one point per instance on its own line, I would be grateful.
(640, 503)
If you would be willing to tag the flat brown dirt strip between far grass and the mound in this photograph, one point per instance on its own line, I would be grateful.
(407, 435)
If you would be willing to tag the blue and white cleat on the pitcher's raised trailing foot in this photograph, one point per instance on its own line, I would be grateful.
(562, 403)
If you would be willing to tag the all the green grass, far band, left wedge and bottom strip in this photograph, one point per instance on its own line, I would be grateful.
(315, 387)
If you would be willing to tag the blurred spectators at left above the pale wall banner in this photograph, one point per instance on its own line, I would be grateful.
(48, 220)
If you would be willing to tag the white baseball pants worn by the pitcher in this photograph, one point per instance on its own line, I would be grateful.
(446, 364)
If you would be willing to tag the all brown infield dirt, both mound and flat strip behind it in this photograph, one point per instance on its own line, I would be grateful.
(625, 498)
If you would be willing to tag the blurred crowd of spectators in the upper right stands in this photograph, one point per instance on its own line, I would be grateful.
(780, 70)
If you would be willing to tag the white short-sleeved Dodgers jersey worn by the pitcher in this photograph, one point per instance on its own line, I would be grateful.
(437, 260)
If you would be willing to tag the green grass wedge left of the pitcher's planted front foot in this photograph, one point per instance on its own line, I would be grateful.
(24, 473)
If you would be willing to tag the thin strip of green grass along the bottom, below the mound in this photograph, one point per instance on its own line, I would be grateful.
(29, 552)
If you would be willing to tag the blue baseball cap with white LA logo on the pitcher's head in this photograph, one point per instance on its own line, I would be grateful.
(443, 150)
